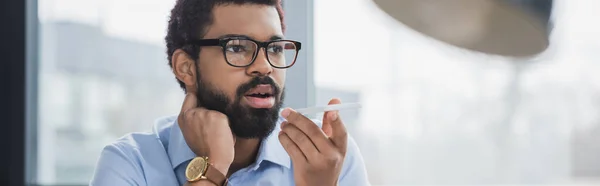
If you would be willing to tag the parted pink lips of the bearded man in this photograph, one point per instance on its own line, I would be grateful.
(261, 96)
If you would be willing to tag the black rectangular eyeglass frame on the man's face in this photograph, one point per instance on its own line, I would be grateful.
(222, 42)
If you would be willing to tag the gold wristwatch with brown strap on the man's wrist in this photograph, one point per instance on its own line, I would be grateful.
(199, 169)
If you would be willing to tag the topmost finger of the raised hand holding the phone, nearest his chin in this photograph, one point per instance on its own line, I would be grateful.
(308, 127)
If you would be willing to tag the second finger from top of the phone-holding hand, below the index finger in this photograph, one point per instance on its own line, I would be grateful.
(301, 140)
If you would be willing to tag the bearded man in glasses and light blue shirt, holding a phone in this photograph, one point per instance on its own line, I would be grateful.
(230, 57)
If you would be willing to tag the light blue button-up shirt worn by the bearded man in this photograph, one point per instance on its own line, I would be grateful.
(160, 159)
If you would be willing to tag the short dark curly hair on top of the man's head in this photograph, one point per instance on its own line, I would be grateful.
(190, 18)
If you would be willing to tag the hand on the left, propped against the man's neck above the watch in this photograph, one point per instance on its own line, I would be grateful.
(207, 133)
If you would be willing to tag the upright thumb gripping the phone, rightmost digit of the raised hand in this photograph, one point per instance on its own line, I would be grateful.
(339, 136)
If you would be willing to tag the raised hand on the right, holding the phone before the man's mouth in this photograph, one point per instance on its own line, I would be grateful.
(317, 155)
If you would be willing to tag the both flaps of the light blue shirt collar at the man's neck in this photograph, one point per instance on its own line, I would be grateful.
(270, 149)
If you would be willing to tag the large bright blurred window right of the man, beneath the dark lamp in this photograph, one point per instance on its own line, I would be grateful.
(434, 115)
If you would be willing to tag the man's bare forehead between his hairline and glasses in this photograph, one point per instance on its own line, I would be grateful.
(259, 22)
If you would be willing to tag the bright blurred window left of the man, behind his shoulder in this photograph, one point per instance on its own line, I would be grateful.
(102, 70)
